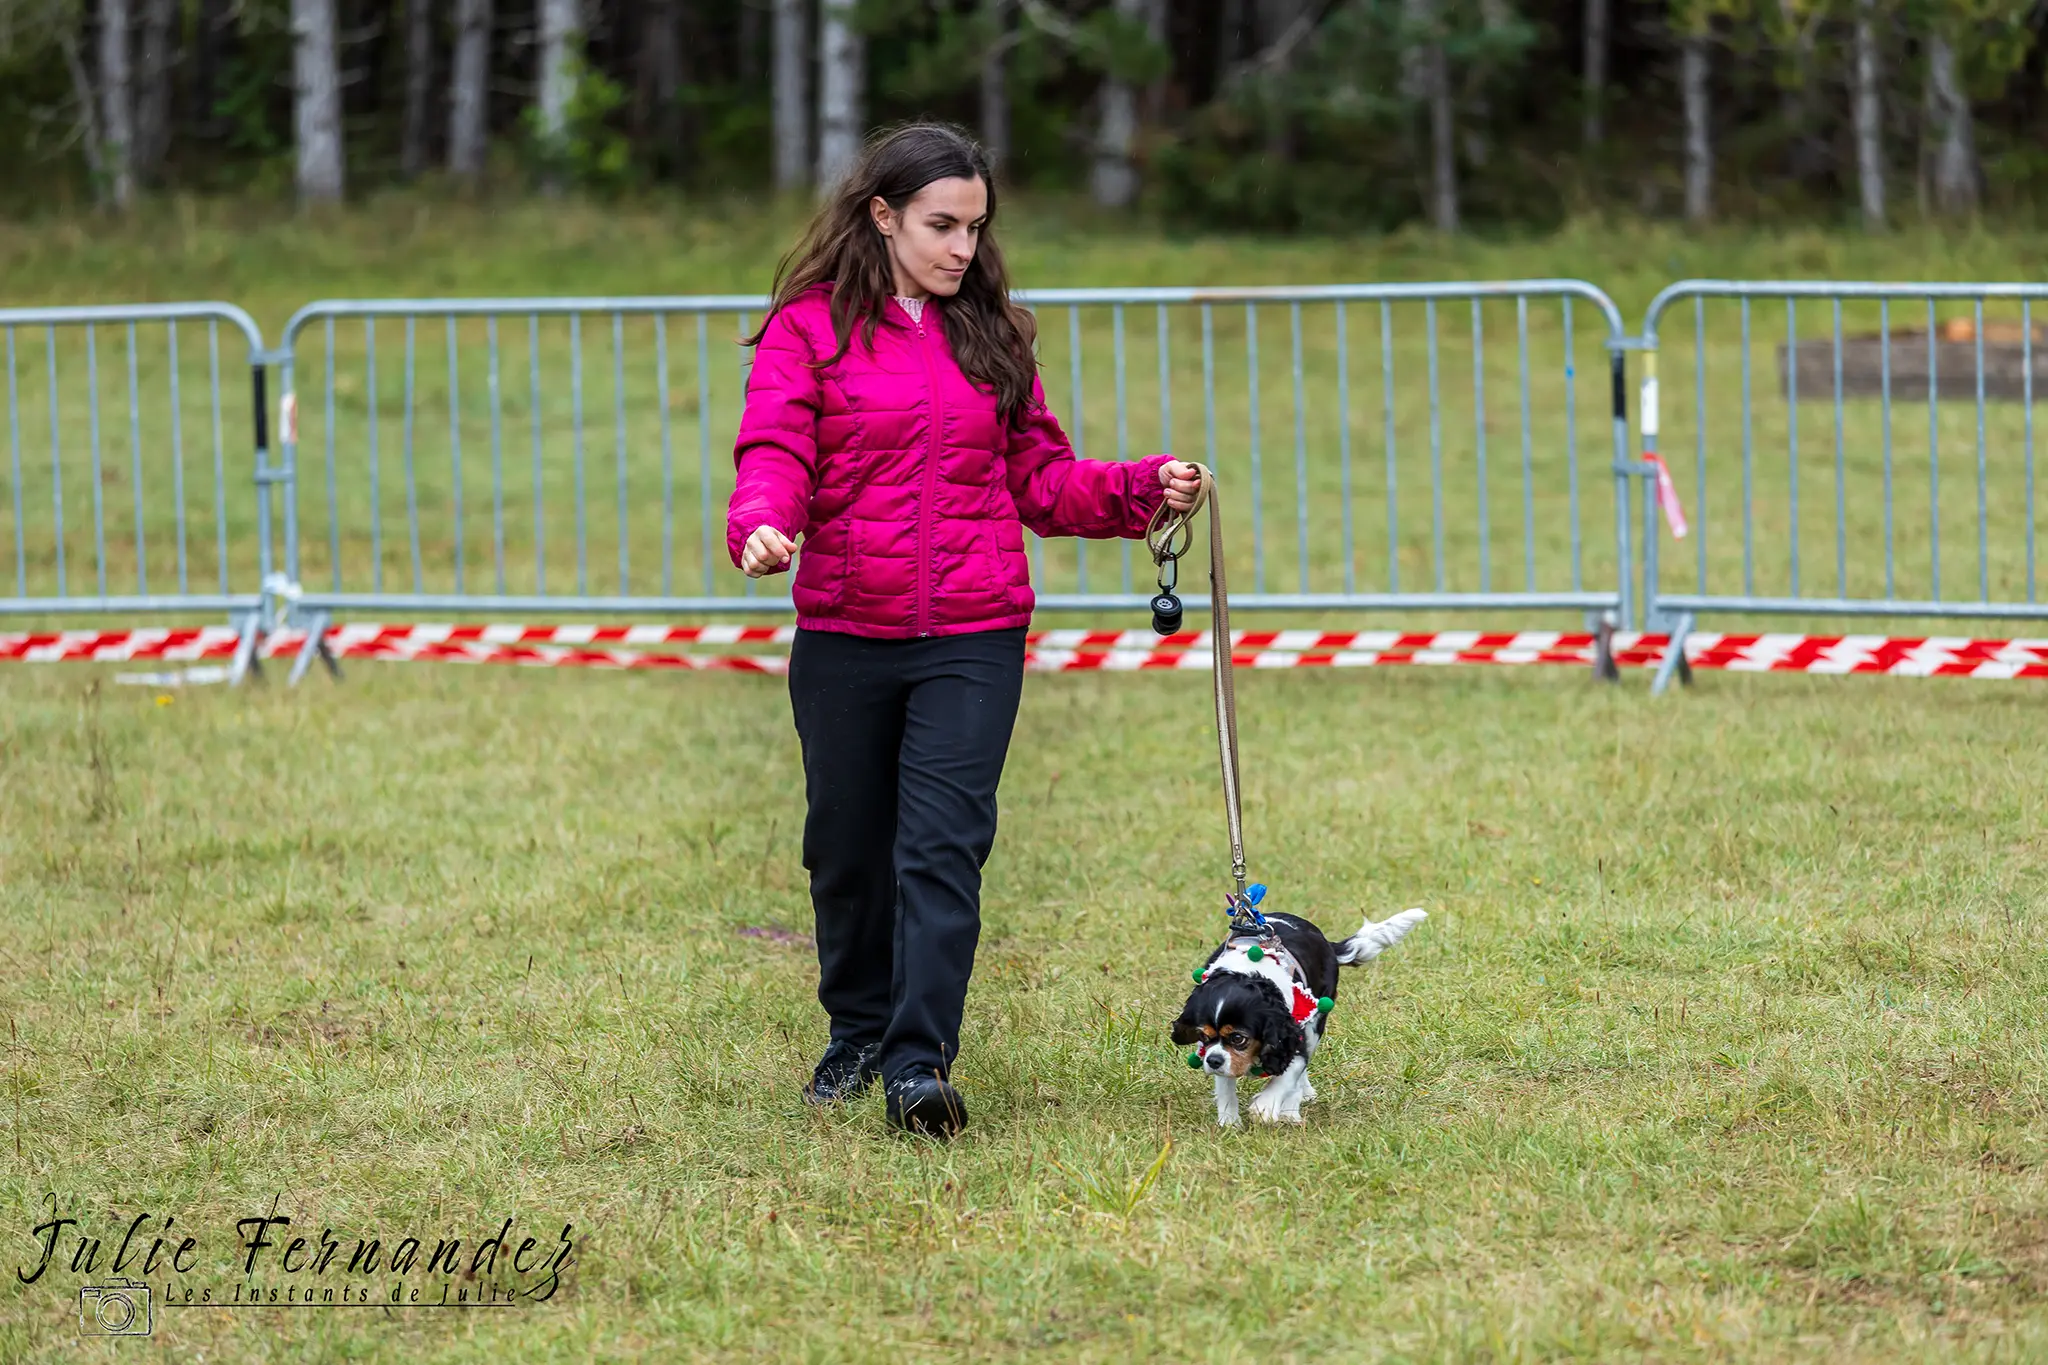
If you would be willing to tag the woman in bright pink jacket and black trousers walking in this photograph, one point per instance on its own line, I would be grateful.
(896, 425)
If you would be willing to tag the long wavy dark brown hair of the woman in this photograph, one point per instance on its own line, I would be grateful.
(992, 339)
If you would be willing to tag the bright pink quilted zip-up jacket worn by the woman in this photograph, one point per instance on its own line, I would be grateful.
(908, 492)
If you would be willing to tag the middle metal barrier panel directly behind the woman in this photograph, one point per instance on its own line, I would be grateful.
(523, 455)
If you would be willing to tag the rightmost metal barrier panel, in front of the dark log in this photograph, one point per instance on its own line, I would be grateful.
(1848, 480)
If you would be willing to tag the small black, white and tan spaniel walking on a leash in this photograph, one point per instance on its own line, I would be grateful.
(1263, 1002)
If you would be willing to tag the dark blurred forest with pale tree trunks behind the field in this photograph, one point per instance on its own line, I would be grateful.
(1322, 116)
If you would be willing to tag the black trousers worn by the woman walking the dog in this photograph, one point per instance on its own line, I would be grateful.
(904, 744)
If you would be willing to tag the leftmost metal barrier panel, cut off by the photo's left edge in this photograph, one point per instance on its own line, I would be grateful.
(132, 492)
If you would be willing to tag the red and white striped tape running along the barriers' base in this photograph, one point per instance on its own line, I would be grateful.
(1072, 652)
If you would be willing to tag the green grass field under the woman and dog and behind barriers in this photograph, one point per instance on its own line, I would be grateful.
(1723, 1041)
